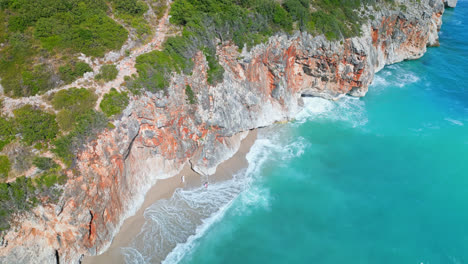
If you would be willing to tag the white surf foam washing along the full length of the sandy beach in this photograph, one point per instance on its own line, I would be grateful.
(173, 227)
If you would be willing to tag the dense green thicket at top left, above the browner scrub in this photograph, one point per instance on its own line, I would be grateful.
(81, 26)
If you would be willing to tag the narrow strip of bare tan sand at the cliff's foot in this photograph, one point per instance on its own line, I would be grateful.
(164, 189)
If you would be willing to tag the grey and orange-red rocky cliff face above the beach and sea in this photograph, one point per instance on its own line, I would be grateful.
(158, 133)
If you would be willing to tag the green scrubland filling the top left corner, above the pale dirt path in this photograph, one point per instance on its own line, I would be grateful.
(51, 30)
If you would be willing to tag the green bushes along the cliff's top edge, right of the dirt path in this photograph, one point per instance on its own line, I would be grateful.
(244, 22)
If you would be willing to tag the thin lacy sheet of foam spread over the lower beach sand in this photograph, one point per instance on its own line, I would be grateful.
(170, 222)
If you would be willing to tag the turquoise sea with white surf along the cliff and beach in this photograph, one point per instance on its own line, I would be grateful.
(381, 179)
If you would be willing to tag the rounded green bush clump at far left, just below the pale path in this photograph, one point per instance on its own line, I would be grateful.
(35, 125)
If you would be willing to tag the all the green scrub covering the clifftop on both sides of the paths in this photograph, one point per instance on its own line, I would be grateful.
(41, 40)
